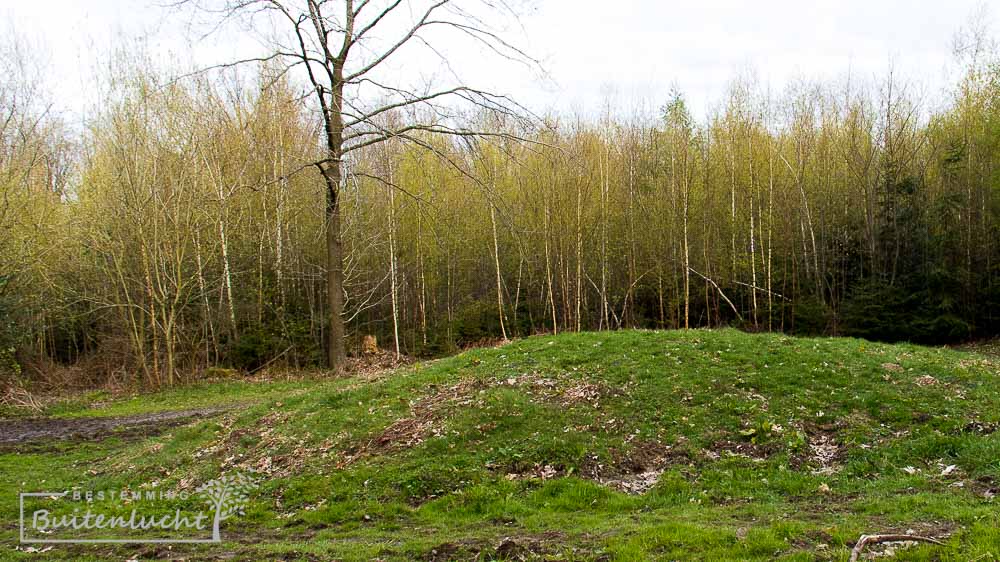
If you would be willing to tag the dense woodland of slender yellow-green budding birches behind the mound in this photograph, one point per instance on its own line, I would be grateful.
(181, 227)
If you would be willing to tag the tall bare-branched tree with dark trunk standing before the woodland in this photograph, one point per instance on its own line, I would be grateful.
(340, 48)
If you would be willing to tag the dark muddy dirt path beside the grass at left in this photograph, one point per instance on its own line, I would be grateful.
(40, 430)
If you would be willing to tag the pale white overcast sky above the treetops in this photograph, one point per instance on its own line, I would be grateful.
(631, 51)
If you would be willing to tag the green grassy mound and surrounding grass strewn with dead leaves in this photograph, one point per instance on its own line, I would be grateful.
(687, 445)
